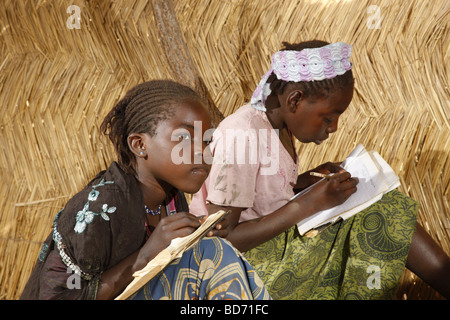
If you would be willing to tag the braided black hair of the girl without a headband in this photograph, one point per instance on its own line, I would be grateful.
(140, 111)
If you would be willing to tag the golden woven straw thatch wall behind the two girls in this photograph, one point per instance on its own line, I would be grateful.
(56, 85)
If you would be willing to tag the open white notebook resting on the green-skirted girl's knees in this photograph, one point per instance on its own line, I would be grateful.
(376, 178)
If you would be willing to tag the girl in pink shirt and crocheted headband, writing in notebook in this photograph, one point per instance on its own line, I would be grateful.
(302, 96)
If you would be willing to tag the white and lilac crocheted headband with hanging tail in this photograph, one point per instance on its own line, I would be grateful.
(306, 65)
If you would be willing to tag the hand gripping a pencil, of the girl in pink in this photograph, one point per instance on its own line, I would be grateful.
(332, 191)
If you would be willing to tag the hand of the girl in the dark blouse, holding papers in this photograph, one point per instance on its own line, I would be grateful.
(178, 225)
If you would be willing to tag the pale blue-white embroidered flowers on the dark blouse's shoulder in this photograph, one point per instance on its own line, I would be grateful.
(86, 216)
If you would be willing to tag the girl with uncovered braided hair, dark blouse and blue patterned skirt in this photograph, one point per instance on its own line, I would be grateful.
(130, 212)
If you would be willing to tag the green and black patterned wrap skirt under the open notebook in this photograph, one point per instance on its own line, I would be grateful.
(360, 258)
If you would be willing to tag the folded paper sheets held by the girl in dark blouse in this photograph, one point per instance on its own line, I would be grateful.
(175, 250)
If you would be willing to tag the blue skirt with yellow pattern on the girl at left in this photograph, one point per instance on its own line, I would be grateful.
(211, 270)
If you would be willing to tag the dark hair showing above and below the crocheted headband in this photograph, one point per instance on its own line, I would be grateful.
(311, 89)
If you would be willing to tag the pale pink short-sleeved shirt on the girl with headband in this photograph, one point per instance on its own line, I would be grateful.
(251, 168)
